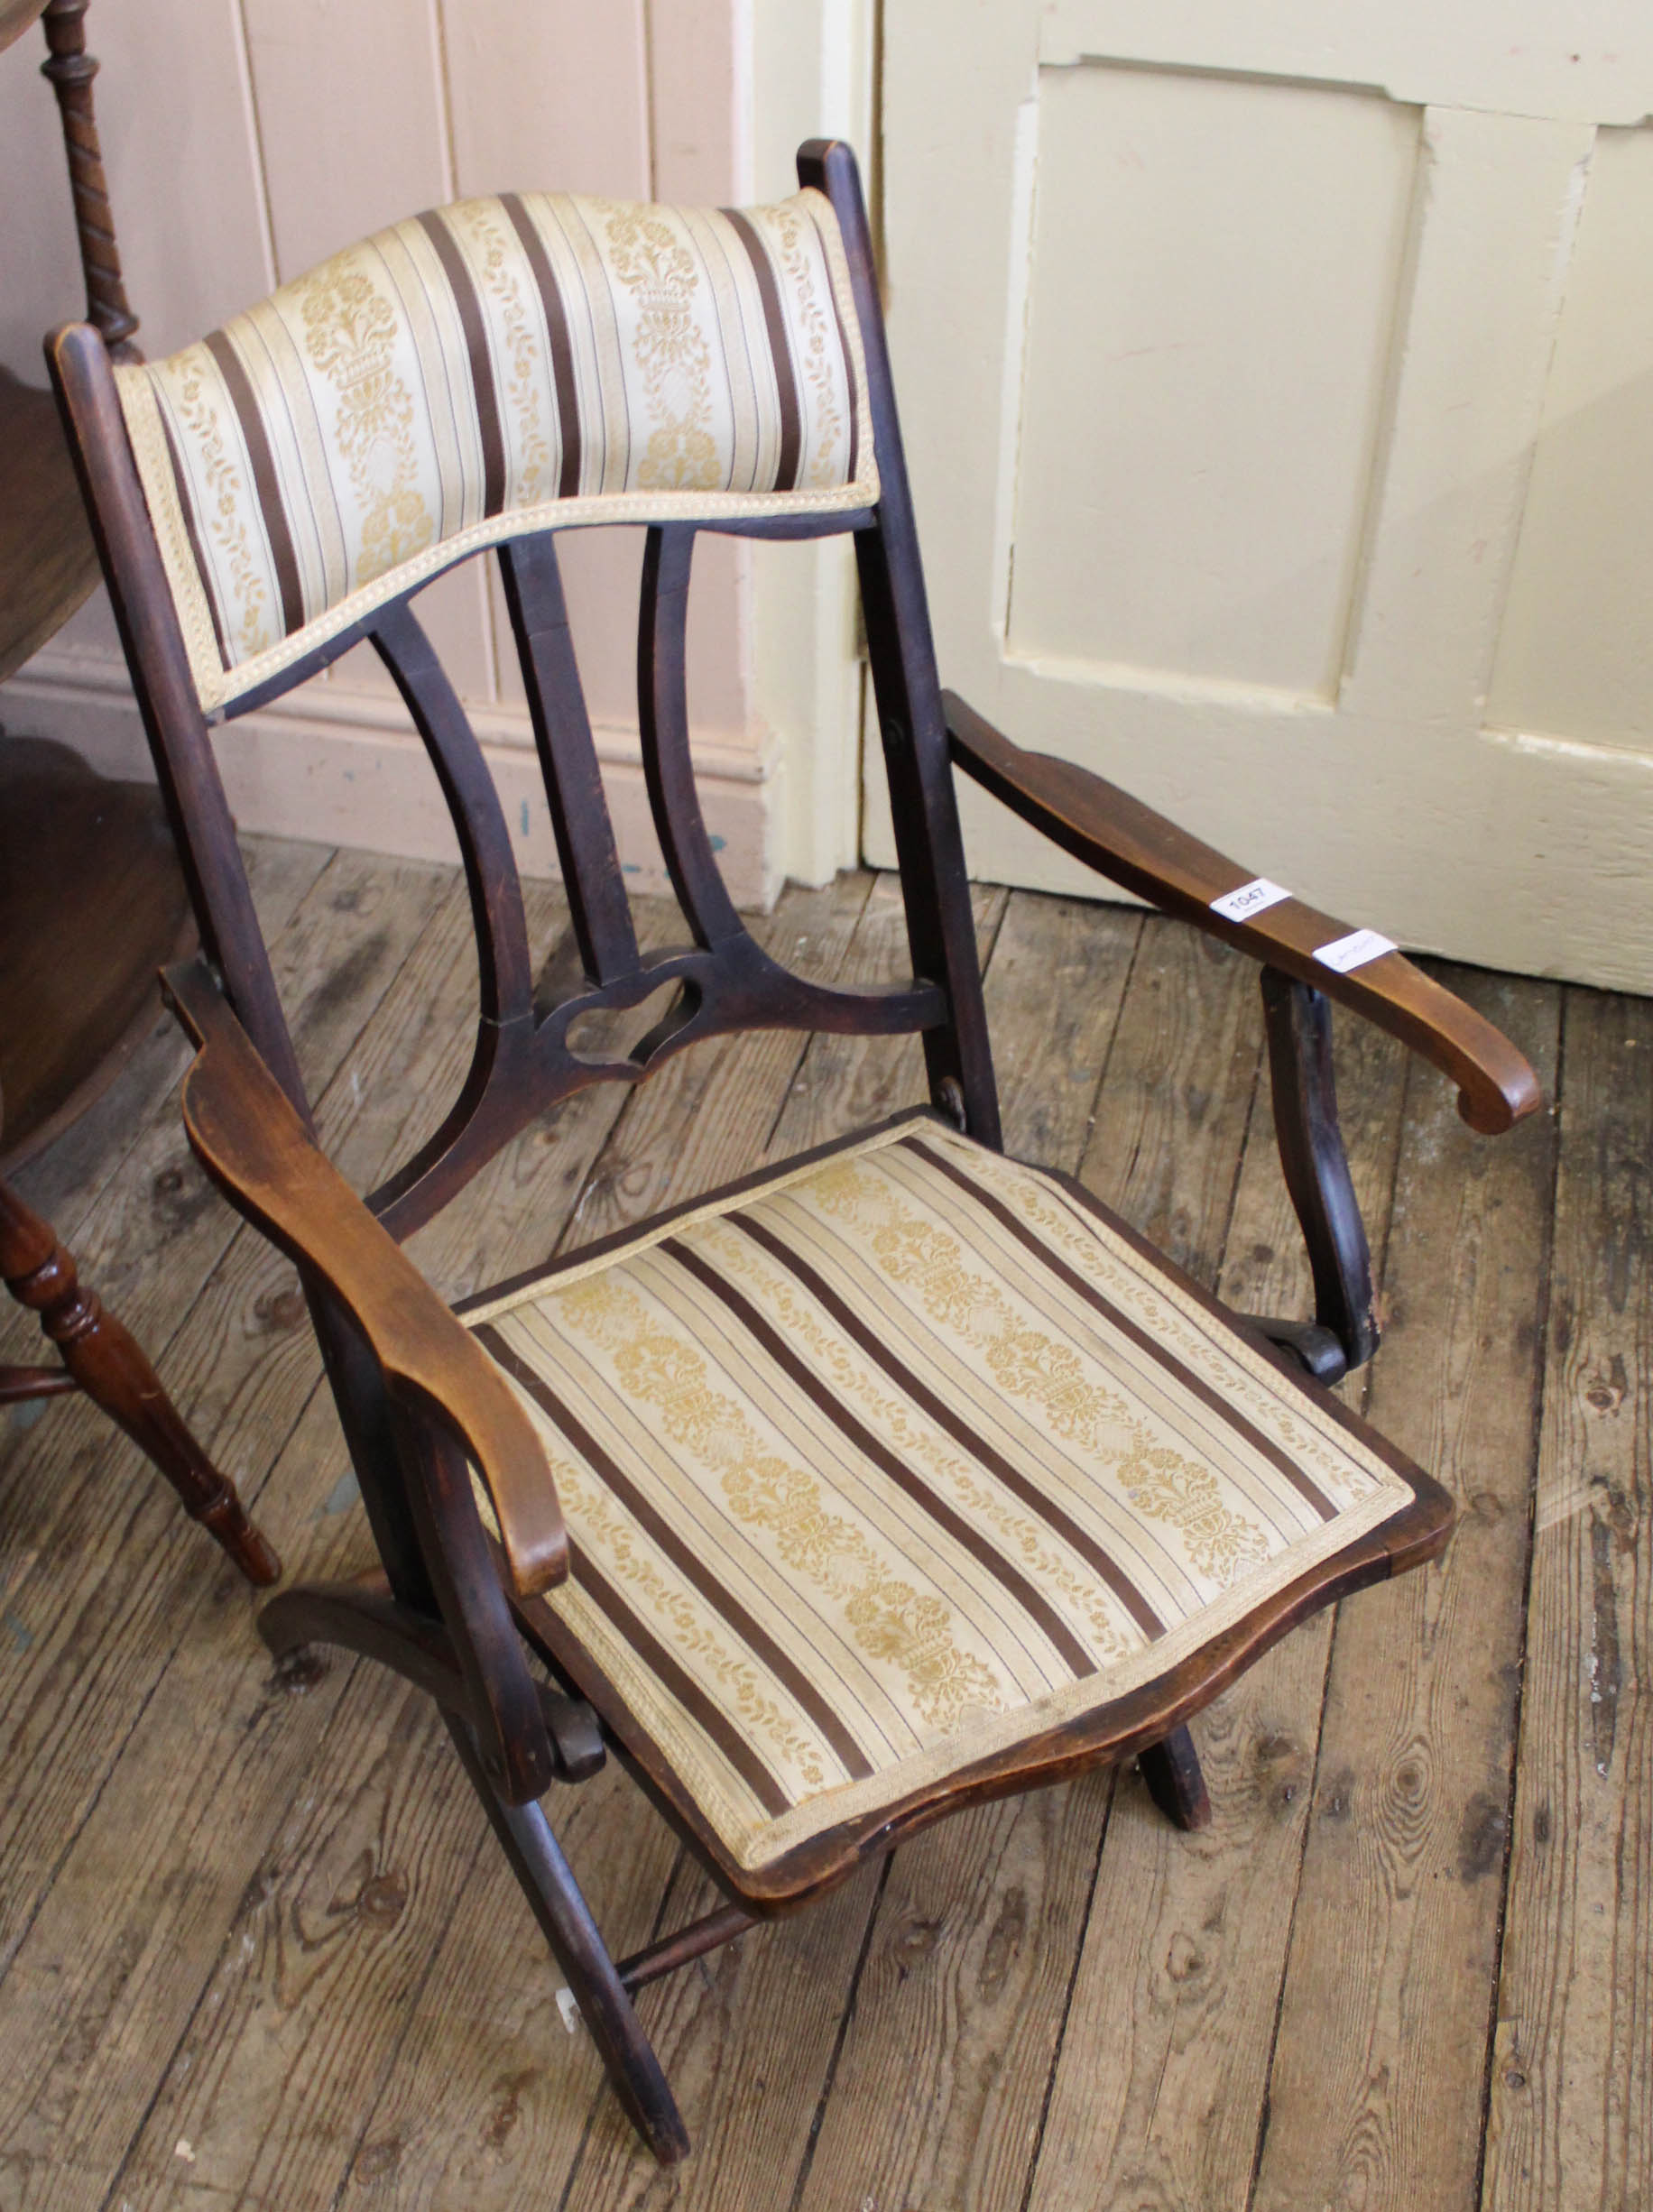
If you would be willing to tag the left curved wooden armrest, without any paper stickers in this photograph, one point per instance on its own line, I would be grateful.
(256, 1149)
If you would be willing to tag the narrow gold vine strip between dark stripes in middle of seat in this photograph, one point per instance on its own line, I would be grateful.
(924, 1448)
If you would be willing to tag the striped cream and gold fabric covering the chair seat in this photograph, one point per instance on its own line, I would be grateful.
(895, 1461)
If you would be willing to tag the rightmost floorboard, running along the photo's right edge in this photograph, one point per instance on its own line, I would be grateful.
(1572, 2072)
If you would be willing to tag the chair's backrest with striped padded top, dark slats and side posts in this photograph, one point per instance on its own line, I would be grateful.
(479, 379)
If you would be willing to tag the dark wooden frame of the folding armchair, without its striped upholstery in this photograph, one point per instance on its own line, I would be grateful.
(419, 1399)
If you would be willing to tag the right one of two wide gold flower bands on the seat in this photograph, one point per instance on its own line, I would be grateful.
(1032, 1368)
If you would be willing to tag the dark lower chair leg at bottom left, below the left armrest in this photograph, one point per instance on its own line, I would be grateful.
(579, 1950)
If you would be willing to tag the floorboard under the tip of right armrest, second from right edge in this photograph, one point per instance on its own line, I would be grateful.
(1380, 2067)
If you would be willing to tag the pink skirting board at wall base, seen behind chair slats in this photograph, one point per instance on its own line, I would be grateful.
(344, 769)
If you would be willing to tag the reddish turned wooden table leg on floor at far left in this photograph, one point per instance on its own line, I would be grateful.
(110, 1366)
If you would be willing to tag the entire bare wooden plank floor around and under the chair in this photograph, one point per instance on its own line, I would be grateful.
(258, 1948)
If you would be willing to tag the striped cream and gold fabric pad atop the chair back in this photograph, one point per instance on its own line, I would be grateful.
(486, 371)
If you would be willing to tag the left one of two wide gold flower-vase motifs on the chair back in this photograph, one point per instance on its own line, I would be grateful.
(351, 337)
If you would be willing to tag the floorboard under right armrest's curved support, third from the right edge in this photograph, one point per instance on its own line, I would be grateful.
(1172, 2027)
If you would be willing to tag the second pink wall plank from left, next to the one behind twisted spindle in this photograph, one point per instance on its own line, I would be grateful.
(353, 123)
